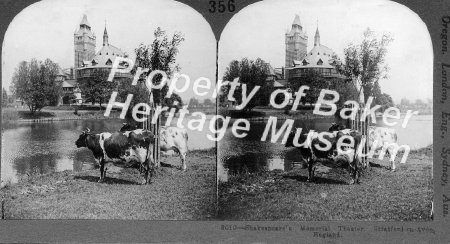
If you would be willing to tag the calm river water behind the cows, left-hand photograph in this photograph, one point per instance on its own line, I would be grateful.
(39, 148)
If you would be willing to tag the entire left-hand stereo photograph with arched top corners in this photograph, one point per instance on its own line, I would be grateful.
(103, 109)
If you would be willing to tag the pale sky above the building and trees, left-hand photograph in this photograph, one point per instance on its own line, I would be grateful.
(45, 30)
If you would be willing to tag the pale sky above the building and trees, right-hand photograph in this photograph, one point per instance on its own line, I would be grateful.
(259, 30)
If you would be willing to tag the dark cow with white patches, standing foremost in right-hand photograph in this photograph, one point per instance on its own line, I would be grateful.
(331, 157)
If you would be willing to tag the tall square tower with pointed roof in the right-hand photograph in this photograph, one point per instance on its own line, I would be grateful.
(296, 42)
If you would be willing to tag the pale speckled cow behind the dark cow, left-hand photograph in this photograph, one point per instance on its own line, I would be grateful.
(171, 138)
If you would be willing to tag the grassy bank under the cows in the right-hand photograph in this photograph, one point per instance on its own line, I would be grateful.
(403, 195)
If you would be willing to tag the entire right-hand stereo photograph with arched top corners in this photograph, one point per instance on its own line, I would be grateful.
(328, 113)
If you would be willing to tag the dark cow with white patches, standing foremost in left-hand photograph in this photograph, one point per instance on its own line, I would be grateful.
(122, 149)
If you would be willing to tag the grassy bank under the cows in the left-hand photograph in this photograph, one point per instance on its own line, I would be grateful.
(189, 195)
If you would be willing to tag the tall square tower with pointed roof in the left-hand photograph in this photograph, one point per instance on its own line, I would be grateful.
(84, 43)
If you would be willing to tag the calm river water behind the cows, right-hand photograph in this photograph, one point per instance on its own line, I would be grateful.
(250, 154)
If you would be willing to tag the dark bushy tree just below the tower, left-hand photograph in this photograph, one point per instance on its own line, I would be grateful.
(97, 88)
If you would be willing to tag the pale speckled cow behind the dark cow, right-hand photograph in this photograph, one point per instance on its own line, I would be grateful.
(380, 135)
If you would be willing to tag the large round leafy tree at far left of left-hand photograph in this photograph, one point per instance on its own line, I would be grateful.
(34, 83)
